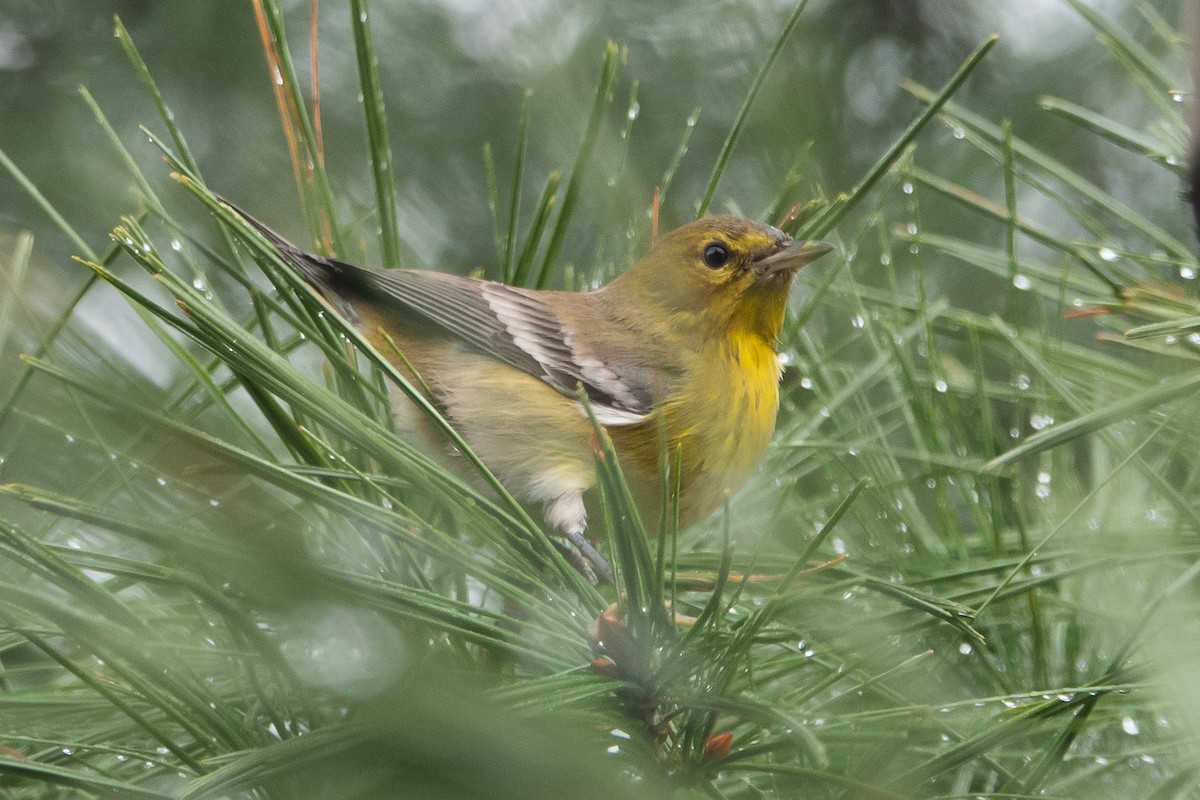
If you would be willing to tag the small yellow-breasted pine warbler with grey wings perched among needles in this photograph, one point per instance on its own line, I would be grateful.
(683, 342)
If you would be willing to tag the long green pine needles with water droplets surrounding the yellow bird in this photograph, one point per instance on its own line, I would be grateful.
(968, 569)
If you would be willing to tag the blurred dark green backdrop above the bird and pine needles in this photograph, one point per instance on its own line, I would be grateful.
(454, 75)
